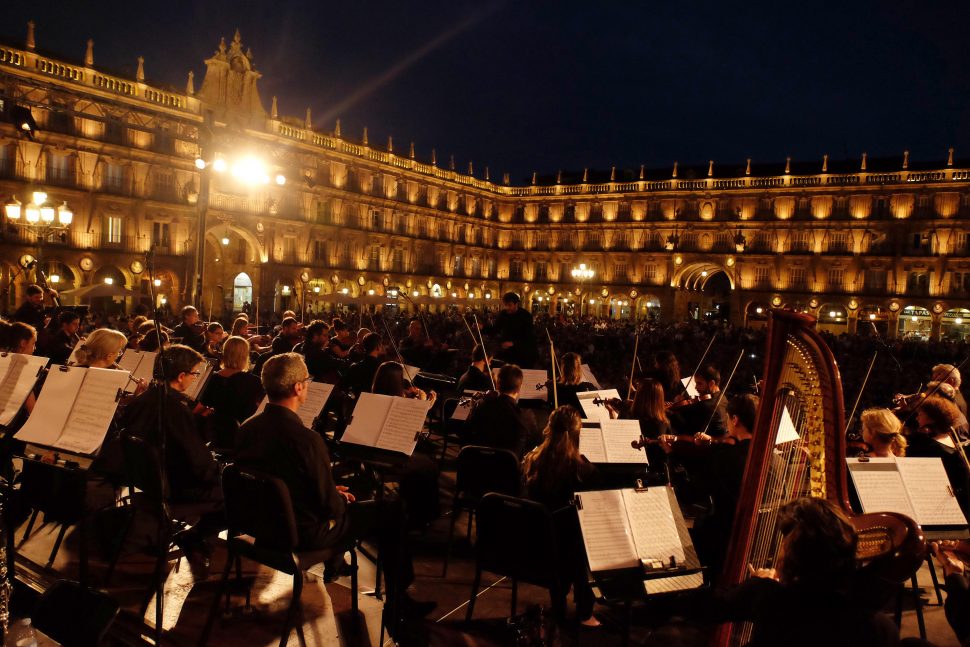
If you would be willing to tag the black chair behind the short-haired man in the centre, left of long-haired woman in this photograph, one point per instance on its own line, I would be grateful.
(480, 470)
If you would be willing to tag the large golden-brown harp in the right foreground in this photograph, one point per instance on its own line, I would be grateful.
(802, 385)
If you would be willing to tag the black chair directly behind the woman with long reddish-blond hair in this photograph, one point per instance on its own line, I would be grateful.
(528, 554)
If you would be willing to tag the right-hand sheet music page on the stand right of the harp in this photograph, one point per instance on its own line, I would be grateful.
(929, 490)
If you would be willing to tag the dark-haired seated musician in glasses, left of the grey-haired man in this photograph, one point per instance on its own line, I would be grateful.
(193, 474)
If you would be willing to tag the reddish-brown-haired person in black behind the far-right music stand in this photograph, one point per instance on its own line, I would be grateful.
(935, 417)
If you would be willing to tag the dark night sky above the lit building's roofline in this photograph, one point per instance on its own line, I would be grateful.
(521, 85)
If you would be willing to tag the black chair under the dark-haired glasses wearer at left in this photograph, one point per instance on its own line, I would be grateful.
(149, 495)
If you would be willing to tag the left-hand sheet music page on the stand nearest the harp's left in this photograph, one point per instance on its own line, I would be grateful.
(606, 532)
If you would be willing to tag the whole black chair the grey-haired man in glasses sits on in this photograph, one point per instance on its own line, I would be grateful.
(262, 527)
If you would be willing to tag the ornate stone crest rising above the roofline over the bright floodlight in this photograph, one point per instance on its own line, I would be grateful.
(229, 87)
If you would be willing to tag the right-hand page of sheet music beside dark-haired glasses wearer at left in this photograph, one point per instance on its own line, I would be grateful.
(93, 410)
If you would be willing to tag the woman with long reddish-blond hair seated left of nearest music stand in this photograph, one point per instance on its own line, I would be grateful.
(553, 472)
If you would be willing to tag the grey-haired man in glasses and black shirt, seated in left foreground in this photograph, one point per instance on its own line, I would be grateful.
(327, 514)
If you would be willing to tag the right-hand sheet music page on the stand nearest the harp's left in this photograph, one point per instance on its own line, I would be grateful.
(654, 527)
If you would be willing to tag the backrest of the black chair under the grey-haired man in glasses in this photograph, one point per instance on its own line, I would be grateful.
(259, 505)
